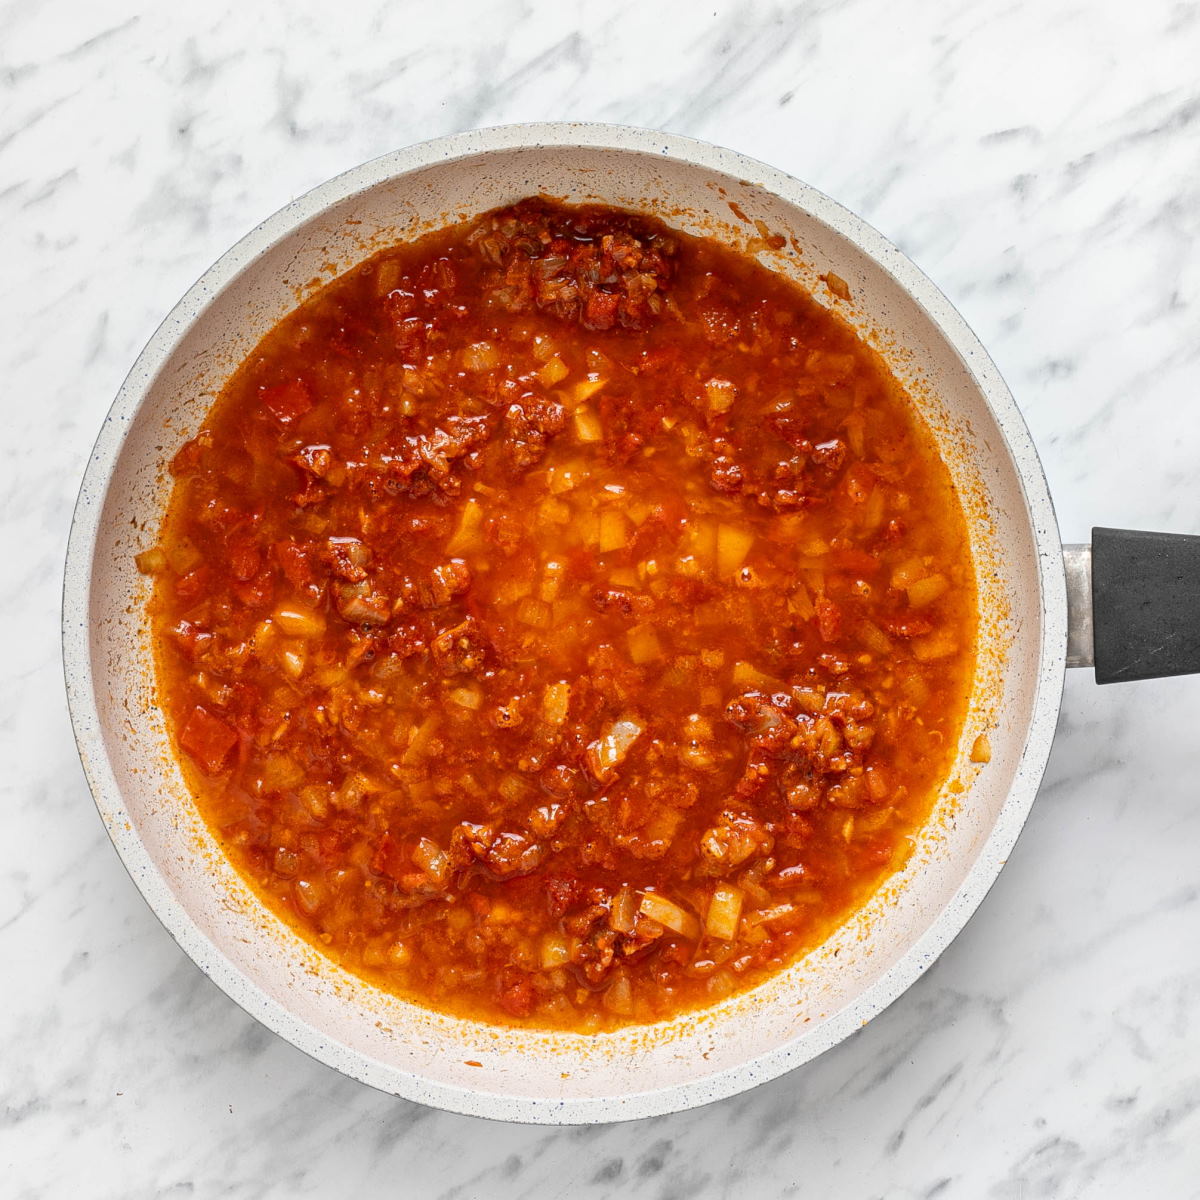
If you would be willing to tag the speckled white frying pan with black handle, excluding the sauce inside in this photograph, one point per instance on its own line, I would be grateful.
(1119, 603)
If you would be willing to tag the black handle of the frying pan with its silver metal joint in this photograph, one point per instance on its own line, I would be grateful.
(1135, 605)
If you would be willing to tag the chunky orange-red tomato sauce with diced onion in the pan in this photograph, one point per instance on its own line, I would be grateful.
(562, 621)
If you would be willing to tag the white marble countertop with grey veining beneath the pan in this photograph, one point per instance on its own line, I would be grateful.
(1040, 160)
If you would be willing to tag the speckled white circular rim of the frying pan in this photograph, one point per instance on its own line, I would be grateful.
(241, 987)
